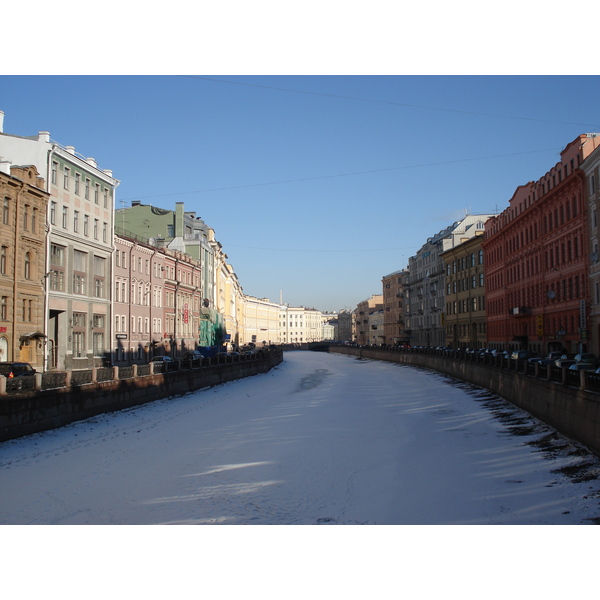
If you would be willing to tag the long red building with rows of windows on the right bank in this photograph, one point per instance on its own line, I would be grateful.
(537, 260)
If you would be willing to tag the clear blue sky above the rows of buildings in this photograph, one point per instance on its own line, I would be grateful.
(316, 186)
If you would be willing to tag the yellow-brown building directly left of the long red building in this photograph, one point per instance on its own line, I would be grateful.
(464, 319)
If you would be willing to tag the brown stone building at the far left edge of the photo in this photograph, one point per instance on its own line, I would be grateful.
(22, 265)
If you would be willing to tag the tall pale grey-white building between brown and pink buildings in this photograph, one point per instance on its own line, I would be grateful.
(79, 249)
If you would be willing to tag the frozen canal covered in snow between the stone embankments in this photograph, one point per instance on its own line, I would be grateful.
(320, 440)
